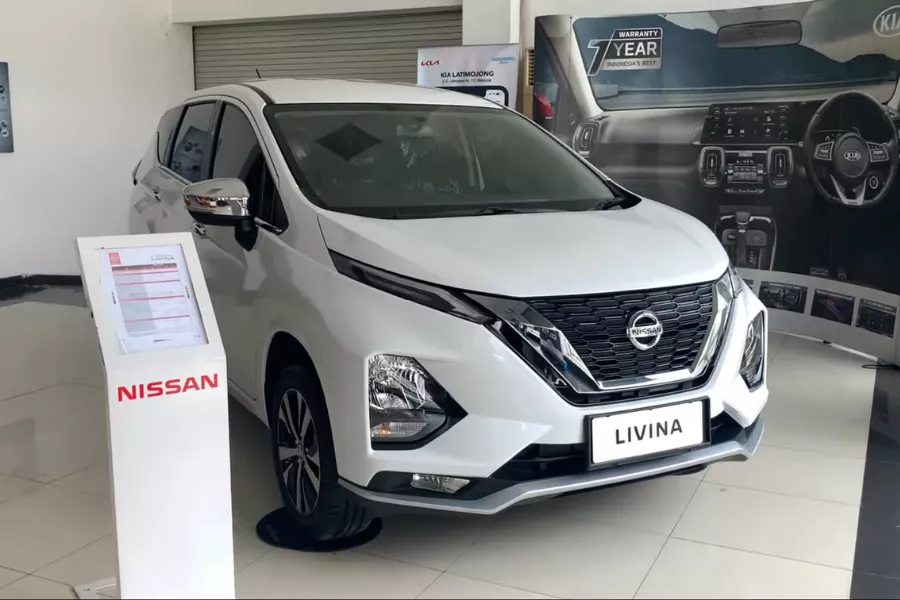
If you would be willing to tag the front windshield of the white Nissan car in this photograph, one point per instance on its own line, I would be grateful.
(415, 161)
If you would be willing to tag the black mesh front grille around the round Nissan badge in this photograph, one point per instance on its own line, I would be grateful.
(595, 326)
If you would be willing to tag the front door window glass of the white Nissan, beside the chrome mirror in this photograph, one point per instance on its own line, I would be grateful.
(239, 154)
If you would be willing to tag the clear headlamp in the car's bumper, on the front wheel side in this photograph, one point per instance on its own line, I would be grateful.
(405, 403)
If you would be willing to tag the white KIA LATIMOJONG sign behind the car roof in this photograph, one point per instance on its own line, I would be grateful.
(491, 72)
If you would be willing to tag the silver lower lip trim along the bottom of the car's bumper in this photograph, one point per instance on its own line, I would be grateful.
(742, 447)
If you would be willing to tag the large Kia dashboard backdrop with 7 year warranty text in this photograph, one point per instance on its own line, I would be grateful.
(776, 126)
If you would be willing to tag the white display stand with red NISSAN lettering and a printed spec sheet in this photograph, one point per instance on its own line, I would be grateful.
(167, 409)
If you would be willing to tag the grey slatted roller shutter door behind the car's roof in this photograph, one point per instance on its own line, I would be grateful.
(380, 47)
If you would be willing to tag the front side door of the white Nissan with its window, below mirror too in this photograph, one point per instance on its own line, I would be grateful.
(230, 255)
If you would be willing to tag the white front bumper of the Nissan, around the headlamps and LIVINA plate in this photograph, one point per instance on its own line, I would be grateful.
(508, 407)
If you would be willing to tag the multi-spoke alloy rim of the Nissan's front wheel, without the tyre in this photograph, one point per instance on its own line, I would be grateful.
(298, 452)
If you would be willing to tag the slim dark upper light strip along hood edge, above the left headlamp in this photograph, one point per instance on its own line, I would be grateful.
(409, 289)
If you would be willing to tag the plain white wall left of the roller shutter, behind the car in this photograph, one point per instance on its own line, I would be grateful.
(89, 80)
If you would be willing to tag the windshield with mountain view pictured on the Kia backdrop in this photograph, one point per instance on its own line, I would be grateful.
(844, 44)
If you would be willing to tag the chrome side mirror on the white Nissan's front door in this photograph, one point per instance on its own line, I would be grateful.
(218, 201)
